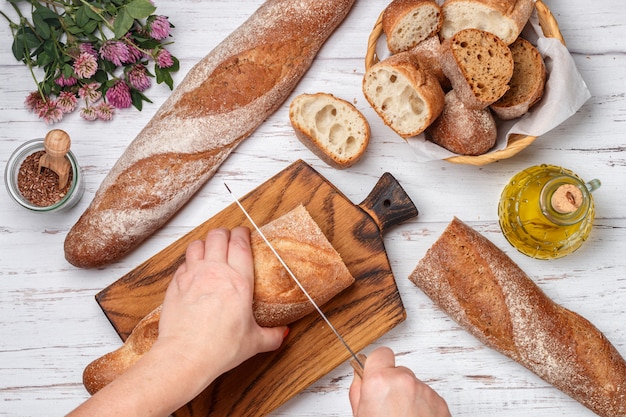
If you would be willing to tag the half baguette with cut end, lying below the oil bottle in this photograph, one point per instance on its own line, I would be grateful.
(482, 289)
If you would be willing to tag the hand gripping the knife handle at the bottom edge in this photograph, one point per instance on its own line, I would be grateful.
(390, 391)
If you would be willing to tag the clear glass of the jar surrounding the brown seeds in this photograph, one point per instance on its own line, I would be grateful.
(12, 172)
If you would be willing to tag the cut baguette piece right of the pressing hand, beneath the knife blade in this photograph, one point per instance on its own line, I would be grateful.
(305, 249)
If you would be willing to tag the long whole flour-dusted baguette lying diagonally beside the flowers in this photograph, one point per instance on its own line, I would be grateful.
(221, 101)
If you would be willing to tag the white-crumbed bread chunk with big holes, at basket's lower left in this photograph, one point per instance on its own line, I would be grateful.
(404, 94)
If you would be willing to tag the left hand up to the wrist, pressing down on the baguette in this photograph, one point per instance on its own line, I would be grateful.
(207, 319)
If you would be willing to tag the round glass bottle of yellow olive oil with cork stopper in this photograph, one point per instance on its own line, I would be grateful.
(547, 212)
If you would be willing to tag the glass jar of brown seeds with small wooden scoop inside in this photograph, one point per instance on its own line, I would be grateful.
(43, 175)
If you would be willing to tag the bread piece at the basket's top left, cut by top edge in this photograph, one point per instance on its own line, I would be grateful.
(408, 22)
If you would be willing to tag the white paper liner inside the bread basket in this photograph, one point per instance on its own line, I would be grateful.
(565, 92)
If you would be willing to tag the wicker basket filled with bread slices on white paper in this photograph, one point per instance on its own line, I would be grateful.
(468, 81)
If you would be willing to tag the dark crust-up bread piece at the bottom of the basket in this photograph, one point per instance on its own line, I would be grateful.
(461, 130)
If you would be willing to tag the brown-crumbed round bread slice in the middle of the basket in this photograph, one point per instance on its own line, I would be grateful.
(479, 66)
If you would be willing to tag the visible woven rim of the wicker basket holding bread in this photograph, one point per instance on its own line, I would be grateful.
(516, 142)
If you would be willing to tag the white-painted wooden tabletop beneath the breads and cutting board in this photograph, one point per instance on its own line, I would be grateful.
(51, 326)
